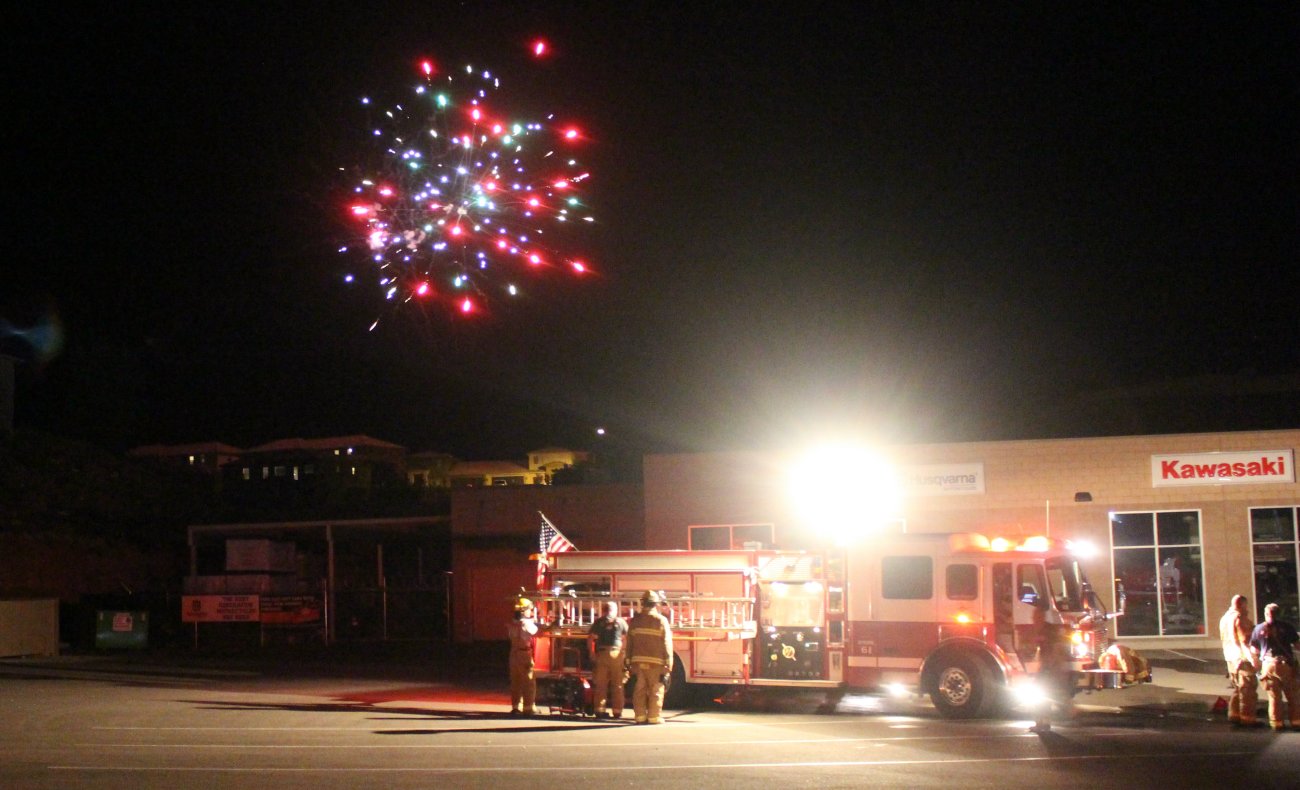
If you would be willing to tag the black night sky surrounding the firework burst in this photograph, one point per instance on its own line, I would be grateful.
(915, 222)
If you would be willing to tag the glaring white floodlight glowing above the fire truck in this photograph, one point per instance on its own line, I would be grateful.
(846, 492)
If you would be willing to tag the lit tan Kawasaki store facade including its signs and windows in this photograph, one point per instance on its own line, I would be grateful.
(1182, 523)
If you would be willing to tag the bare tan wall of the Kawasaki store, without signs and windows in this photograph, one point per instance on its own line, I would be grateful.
(1030, 488)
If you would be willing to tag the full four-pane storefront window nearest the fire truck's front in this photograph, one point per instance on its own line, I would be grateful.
(1158, 558)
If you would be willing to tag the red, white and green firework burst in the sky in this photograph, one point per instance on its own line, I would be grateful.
(466, 202)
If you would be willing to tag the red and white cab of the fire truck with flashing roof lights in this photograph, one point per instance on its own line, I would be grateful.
(954, 617)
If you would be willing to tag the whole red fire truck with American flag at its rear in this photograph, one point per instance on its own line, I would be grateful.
(946, 615)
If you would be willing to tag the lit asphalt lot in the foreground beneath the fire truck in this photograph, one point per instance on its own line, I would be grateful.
(424, 717)
